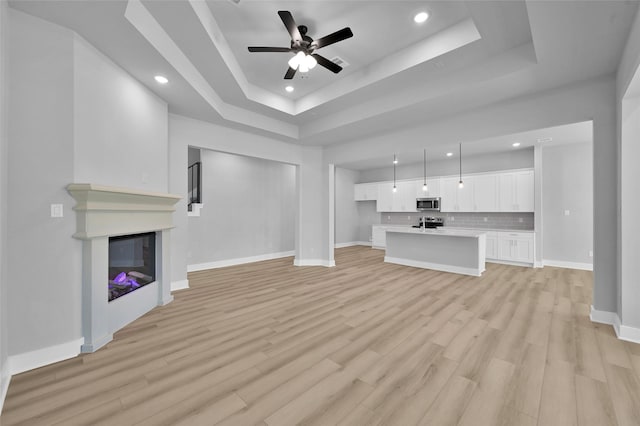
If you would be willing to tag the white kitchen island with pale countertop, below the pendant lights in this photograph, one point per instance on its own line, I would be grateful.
(449, 250)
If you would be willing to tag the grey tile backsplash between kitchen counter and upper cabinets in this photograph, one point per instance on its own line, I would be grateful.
(522, 221)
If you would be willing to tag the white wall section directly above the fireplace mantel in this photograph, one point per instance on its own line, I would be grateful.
(120, 127)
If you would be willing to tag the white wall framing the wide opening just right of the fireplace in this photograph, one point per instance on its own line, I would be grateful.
(185, 132)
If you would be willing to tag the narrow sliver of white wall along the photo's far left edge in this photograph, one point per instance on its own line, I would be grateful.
(4, 325)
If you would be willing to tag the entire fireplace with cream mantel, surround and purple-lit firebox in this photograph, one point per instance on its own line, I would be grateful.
(126, 242)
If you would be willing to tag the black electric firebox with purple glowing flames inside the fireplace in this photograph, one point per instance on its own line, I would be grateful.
(132, 263)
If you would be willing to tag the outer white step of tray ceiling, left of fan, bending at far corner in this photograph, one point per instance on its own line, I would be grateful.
(142, 20)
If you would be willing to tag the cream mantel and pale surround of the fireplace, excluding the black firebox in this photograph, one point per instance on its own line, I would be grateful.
(103, 212)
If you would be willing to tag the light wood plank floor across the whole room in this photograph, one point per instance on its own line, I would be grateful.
(364, 343)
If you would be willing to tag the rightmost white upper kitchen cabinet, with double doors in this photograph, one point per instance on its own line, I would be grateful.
(516, 191)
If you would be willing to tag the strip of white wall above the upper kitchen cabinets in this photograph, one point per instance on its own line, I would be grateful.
(516, 159)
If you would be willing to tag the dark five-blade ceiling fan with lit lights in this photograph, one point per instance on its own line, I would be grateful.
(304, 47)
